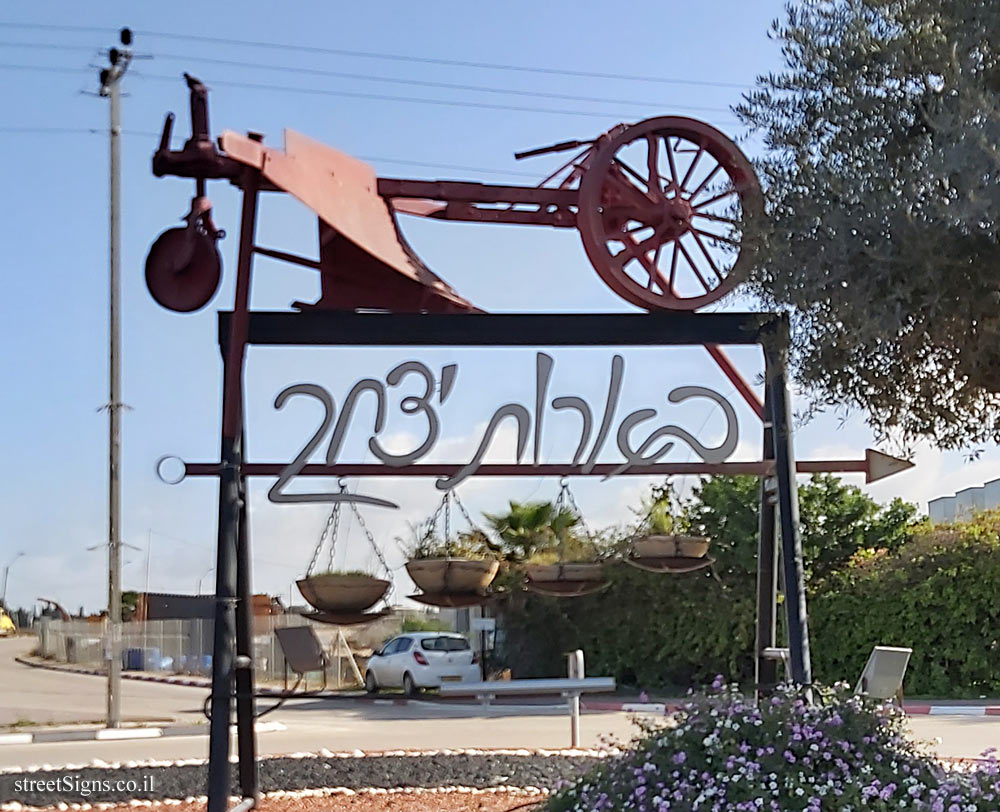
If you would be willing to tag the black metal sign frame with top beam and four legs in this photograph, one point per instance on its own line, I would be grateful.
(232, 662)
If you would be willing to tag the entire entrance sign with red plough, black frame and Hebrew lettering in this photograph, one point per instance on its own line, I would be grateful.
(666, 209)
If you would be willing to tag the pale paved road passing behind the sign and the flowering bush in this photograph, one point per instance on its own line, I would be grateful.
(313, 724)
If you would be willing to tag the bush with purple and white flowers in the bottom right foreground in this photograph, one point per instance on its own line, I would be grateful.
(725, 754)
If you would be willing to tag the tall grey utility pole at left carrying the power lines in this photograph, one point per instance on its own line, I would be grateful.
(111, 77)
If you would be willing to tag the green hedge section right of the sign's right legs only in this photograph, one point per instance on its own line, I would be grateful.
(939, 595)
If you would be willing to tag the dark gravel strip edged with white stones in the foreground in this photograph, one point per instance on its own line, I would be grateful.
(480, 770)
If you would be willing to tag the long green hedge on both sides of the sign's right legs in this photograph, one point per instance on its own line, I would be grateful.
(937, 593)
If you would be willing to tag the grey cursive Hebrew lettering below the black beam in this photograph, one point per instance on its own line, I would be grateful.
(635, 448)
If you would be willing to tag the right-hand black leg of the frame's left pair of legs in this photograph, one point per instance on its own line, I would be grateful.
(245, 705)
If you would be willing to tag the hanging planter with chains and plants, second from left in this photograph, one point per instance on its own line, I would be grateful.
(451, 572)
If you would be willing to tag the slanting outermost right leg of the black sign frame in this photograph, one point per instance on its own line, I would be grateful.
(776, 355)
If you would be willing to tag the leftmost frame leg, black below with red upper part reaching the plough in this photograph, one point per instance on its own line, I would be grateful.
(230, 510)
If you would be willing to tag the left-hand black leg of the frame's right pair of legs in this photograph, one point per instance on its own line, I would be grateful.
(766, 670)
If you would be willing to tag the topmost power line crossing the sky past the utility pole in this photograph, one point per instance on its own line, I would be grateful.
(387, 56)
